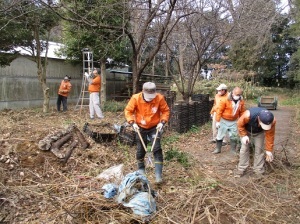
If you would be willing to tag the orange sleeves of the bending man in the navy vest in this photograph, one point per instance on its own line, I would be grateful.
(269, 135)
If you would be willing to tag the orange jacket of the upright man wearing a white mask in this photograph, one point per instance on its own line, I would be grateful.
(226, 109)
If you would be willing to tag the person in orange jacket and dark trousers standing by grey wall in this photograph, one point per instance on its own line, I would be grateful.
(63, 92)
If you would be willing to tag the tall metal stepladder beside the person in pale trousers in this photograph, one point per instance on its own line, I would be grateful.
(87, 67)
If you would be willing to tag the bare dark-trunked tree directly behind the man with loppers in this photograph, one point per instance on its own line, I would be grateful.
(141, 21)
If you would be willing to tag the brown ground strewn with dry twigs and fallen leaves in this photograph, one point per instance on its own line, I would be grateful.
(35, 187)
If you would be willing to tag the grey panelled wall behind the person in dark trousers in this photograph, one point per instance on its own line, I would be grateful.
(20, 86)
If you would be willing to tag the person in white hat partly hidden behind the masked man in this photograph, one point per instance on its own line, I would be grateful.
(221, 95)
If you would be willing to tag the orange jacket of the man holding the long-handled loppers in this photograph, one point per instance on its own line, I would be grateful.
(147, 114)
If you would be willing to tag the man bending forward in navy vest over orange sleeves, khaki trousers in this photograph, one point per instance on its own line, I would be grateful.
(256, 124)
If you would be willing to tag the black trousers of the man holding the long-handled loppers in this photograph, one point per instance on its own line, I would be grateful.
(148, 136)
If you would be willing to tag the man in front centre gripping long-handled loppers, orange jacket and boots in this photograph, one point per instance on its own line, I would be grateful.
(148, 111)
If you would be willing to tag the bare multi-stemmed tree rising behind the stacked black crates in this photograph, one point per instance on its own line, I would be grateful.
(194, 41)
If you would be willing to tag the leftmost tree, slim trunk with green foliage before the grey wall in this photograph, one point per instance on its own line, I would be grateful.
(35, 23)
